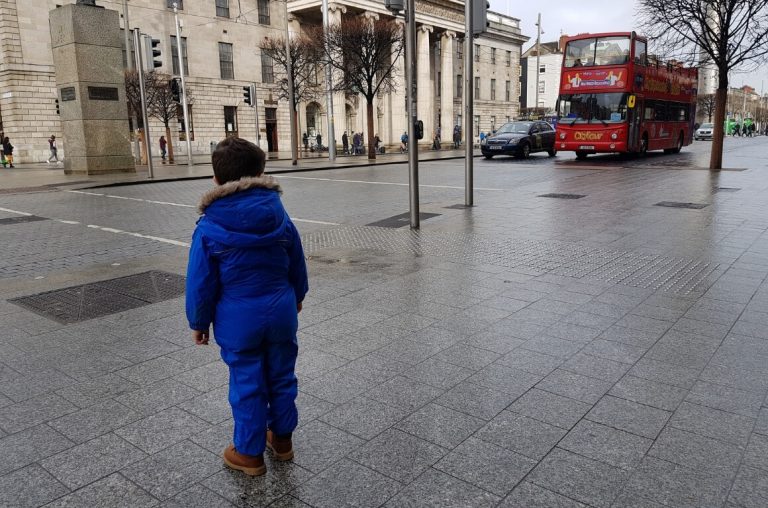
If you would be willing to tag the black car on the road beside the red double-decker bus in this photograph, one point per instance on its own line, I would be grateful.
(520, 139)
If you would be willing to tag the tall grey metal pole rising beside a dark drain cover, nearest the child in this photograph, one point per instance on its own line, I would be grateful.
(413, 143)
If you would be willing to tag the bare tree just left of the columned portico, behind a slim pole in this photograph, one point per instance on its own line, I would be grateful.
(306, 56)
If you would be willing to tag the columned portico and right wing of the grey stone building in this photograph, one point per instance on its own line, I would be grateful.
(440, 72)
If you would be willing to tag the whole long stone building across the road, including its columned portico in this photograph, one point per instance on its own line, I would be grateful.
(220, 39)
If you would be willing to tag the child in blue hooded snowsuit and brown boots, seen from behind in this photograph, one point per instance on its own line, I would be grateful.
(247, 276)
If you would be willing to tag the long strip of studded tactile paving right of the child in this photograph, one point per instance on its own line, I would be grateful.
(673, 274)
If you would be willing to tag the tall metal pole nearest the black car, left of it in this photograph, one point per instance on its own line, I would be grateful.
(469, 106)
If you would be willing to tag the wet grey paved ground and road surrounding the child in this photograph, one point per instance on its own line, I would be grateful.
(591, 333)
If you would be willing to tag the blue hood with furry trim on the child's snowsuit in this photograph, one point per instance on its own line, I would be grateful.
(245, 213)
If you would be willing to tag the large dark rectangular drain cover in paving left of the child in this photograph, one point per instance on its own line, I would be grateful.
(89, 301)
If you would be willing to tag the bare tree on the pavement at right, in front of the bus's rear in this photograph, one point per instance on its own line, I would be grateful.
(729, 34)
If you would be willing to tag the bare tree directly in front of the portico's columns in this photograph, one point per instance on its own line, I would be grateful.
(363, 54)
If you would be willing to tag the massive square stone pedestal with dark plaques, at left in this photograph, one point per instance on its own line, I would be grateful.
(87, 54)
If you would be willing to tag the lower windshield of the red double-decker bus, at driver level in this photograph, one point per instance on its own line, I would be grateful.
(592, 108)
